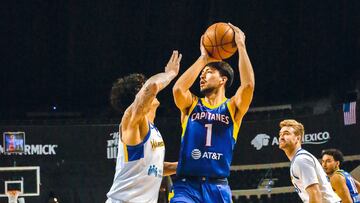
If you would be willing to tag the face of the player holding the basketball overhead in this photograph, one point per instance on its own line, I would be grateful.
(210, 79)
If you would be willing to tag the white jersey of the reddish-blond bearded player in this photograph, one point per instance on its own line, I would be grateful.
(306, 170)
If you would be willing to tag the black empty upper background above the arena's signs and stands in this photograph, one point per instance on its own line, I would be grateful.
(67, 53)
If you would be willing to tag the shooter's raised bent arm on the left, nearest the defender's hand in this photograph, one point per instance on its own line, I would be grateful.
(181, 90)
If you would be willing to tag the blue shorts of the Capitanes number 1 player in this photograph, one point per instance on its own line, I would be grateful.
(201, 189)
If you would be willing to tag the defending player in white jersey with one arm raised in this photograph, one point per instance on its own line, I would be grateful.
(139, 165)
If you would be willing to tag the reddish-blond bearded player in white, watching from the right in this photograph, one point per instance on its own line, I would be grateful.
(307, 175)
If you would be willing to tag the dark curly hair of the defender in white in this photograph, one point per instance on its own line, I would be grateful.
(124, 90)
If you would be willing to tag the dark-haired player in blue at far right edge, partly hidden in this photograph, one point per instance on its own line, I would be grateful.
(341, 181)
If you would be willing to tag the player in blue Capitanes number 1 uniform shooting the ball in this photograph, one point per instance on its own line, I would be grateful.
(210, 125)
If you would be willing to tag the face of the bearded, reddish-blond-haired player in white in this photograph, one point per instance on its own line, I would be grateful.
(287, 138)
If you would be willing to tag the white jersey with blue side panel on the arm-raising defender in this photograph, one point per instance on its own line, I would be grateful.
(139, 170)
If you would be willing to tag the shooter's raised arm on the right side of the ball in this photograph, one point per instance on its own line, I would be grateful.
(244, 94)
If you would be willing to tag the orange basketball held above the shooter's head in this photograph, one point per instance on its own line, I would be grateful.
(219, 41)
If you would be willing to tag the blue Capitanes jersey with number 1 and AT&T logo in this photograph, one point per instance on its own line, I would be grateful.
(208, 138)
